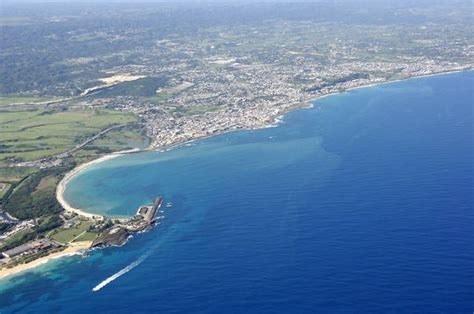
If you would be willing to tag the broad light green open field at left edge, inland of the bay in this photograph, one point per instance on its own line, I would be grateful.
(30, 135)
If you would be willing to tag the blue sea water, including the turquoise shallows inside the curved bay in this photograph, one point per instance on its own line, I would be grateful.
(363, 204)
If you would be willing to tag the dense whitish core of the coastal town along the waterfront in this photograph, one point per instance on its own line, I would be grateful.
(258, 98)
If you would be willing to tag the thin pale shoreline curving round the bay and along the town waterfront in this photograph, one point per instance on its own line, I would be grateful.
(306, 104)
